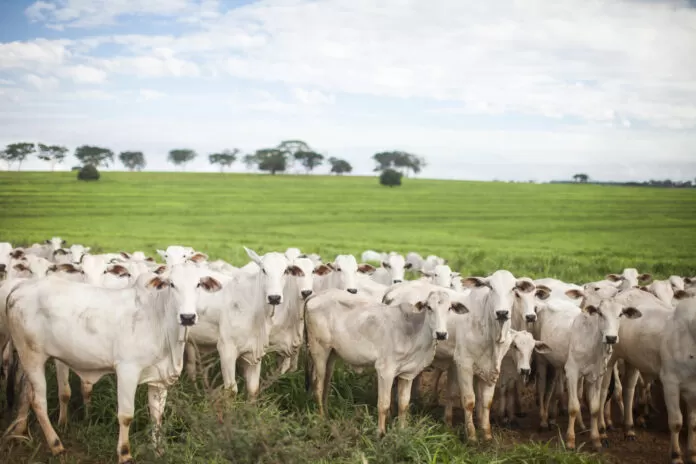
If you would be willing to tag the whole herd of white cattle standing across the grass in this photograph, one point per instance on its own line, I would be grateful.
(124, 313)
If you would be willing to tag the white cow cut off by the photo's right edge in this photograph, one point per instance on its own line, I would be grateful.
(678, 374)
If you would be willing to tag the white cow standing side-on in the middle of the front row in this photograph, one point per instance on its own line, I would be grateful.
(398, 341)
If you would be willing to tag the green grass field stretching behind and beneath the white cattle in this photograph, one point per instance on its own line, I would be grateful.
(573, 232)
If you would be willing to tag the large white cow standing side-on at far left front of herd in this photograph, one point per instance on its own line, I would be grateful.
(138, 333)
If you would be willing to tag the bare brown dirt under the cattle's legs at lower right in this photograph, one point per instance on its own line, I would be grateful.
(651, 446)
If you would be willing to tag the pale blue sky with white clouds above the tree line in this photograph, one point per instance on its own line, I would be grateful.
(503, 89)
